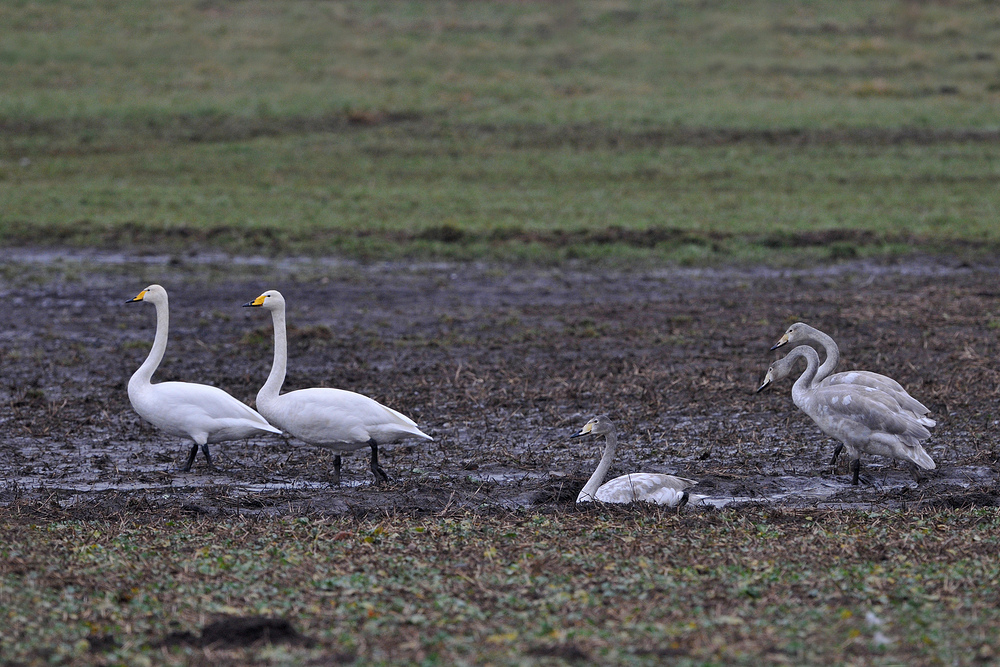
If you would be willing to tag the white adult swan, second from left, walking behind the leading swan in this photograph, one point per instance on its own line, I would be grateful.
(332, 418)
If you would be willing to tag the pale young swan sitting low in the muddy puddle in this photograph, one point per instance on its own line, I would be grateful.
(644, 486)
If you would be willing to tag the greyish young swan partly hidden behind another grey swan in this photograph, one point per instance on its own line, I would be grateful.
(801, 333)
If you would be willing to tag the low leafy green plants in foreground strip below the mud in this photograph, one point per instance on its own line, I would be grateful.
(611, 587)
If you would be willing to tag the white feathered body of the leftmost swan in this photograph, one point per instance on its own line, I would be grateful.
(187, 409)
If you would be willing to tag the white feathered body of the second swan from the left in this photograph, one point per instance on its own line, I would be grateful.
(335, 417)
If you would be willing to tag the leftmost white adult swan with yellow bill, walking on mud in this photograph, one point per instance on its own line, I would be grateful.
(203, 414)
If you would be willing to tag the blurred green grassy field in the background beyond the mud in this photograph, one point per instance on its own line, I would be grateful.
(750, 131)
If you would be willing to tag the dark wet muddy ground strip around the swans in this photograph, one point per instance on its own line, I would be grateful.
(501, 364)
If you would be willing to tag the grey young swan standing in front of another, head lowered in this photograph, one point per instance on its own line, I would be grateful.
(864, 419)
